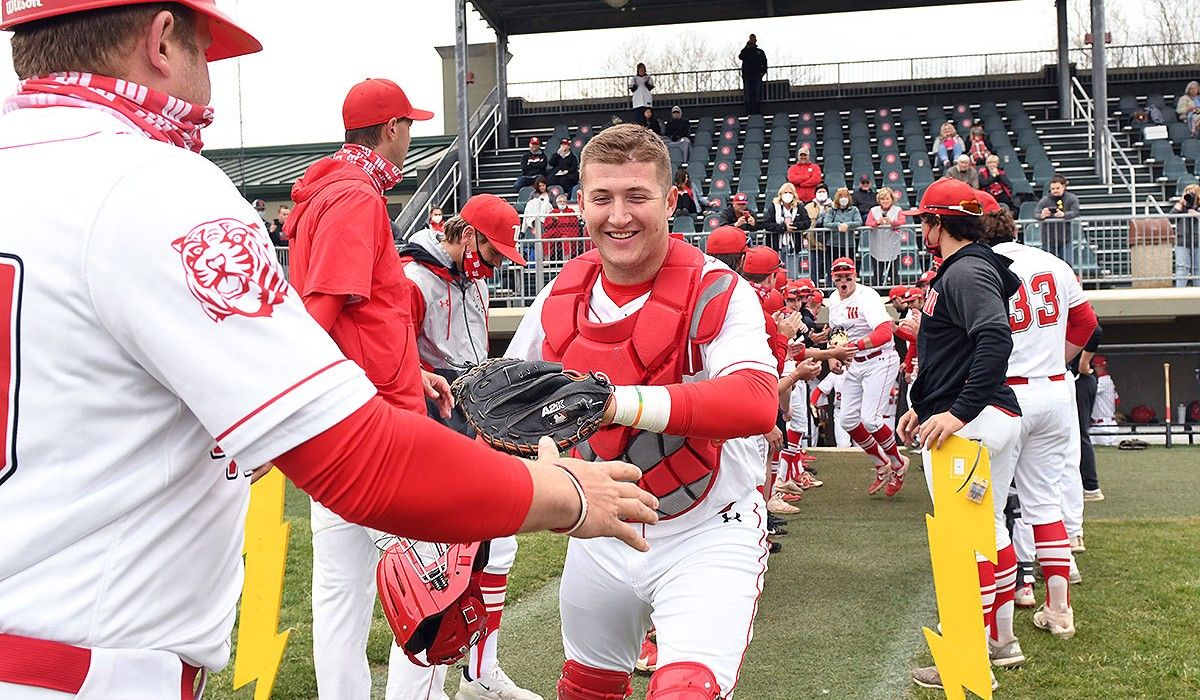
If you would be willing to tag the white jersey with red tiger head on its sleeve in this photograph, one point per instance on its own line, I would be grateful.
(146, 322)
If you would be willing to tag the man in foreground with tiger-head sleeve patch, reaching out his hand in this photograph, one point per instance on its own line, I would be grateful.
(124, 483)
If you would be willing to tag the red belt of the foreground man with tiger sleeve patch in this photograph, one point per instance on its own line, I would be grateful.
(58, 667)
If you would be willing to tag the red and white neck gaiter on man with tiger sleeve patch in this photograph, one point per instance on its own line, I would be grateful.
(157, 115)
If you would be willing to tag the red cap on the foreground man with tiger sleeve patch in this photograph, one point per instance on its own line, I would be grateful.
(229, 39)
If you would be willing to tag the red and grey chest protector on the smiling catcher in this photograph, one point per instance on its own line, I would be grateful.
(657, 345)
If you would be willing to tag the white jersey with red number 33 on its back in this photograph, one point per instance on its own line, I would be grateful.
(1039, 310)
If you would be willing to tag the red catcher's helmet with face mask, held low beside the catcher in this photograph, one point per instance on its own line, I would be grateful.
(431, 599)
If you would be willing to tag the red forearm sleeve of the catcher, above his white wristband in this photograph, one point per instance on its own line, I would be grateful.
(737, 405)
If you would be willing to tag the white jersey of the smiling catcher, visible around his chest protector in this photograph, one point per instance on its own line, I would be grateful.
(742, 344)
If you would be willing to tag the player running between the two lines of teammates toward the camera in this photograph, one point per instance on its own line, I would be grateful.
(857, 313)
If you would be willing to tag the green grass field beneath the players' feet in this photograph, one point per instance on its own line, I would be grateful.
(844, 605)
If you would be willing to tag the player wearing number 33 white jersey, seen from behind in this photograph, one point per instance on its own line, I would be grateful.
(1052, 322)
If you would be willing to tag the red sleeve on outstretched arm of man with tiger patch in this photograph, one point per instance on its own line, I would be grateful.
(403, 474)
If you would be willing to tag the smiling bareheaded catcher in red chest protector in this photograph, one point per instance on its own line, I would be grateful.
(683, 340)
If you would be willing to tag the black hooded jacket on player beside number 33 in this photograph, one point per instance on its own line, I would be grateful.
(965, 340)
